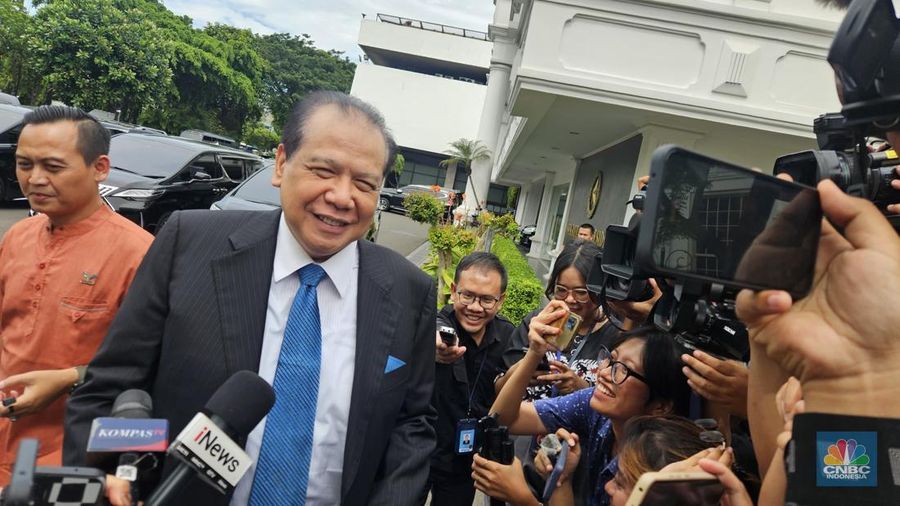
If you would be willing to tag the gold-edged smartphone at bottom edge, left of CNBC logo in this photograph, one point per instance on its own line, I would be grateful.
(676, 489)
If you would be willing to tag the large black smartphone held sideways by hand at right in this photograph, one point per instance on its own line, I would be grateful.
(716, 222)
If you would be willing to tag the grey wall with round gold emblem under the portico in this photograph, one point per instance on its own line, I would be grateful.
(617, 164)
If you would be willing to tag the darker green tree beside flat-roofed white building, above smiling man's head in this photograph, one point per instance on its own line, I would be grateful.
(297, 67)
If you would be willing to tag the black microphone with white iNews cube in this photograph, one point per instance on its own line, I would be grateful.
(206, 447)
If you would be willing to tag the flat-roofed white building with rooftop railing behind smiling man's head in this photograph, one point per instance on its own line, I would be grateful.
(429, 81)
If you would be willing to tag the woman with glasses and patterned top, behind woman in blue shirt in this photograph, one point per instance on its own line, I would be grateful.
(572, 368)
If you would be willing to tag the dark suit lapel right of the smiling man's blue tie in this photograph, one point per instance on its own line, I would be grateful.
(376, 318)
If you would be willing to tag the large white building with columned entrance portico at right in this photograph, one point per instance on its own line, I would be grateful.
(588, 89)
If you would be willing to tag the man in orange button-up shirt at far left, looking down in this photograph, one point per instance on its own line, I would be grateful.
(63, 275)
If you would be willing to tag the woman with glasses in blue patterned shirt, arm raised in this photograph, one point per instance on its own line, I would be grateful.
(641, 376)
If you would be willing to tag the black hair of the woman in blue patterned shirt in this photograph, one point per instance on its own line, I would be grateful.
(662, 365)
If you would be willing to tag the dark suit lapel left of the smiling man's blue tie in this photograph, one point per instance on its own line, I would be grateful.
(242, 278)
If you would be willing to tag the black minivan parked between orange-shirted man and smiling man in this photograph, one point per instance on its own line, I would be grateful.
(154, 175)
